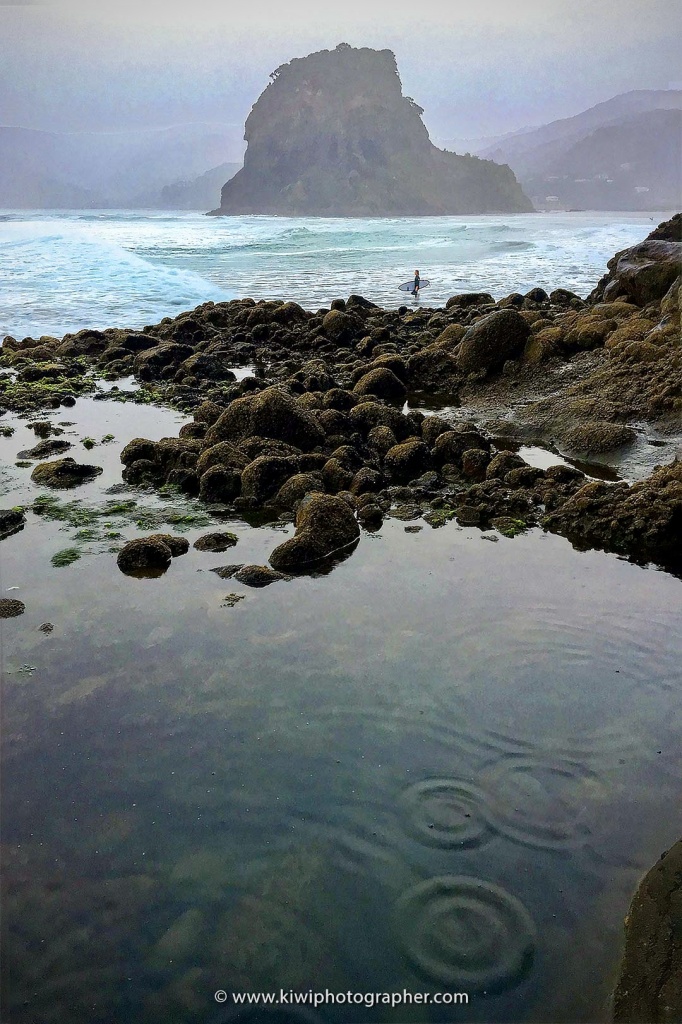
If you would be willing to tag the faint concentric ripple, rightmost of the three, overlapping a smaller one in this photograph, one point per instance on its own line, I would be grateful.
(539, 803)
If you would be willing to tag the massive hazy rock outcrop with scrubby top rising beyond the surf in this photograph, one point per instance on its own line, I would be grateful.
(333, 136)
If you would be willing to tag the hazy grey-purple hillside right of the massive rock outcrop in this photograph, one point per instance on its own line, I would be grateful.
(624, 154)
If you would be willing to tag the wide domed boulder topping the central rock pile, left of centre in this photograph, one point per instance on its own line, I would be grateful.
(272, 413)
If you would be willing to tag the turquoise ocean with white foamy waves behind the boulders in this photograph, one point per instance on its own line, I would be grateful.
(63, 271)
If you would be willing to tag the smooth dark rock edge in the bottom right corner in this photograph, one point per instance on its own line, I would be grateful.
(650, 986)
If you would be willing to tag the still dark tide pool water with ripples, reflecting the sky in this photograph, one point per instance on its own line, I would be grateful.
(441, 767)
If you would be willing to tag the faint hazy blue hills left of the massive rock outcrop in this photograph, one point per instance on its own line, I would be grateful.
(88, 169)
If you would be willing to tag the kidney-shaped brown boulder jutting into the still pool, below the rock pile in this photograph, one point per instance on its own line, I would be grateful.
(325, 526)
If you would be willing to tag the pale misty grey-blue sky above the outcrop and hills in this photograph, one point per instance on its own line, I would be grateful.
(479, 68)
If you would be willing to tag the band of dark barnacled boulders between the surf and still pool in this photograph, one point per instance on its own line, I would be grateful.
(327, 433)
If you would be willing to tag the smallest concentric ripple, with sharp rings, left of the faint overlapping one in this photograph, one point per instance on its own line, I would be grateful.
(447, 813)
